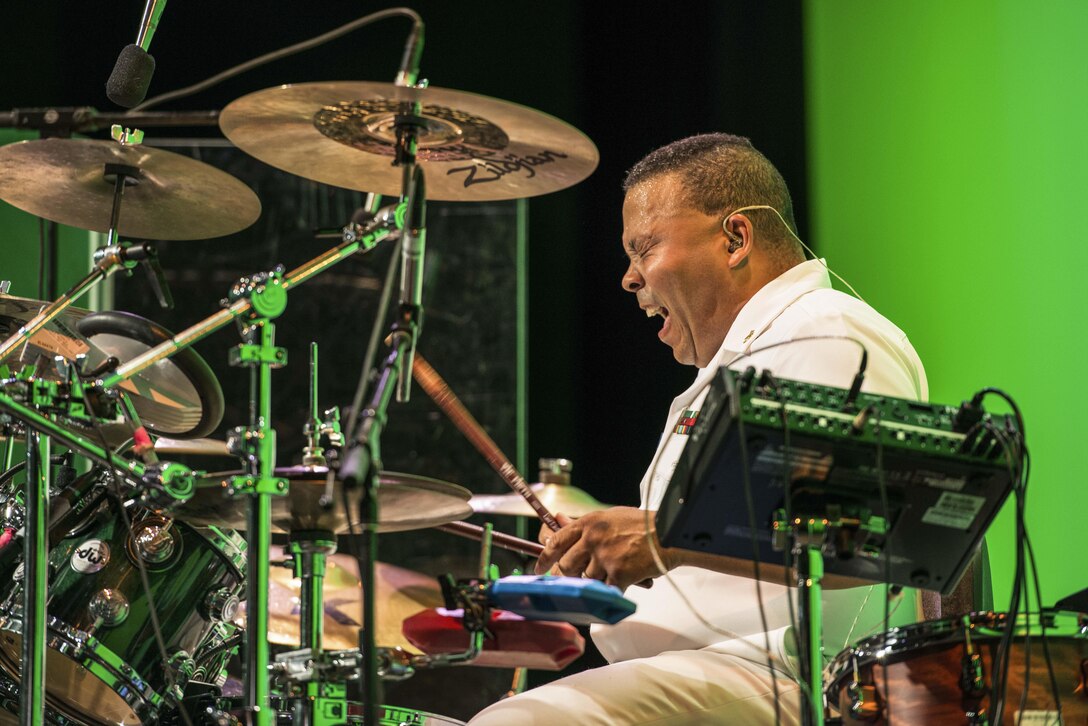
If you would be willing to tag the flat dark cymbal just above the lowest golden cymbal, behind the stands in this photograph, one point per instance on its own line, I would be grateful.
(405, 501)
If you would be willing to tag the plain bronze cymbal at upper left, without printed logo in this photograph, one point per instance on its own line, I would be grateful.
(175, 198)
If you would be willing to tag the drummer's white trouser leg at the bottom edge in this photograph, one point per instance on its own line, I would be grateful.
(675, 687)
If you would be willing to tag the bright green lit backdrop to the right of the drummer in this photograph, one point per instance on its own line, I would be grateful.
(949, 166)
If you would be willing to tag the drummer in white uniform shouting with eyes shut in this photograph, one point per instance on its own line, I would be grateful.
(711, 239)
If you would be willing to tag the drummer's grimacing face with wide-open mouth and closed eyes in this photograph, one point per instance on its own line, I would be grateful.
(678, 268)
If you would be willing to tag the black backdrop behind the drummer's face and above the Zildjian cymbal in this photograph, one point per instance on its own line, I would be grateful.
(633, 80)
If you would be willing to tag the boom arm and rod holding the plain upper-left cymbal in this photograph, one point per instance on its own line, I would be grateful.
(108, 260)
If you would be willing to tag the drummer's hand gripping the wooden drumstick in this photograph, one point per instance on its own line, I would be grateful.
(610, 546)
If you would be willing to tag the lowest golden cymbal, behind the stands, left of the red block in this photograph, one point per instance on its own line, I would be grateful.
(401, 594)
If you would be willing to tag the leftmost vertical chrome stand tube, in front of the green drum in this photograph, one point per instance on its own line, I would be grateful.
(36, 583)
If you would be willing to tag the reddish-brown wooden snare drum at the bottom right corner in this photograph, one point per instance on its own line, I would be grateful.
(939, 672)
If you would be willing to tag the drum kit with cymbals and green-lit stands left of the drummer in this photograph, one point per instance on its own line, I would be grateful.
(137, 580)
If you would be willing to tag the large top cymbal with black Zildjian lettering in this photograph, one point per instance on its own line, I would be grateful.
(474, 149)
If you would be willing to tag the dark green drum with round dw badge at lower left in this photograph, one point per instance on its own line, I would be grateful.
(104, 662)
